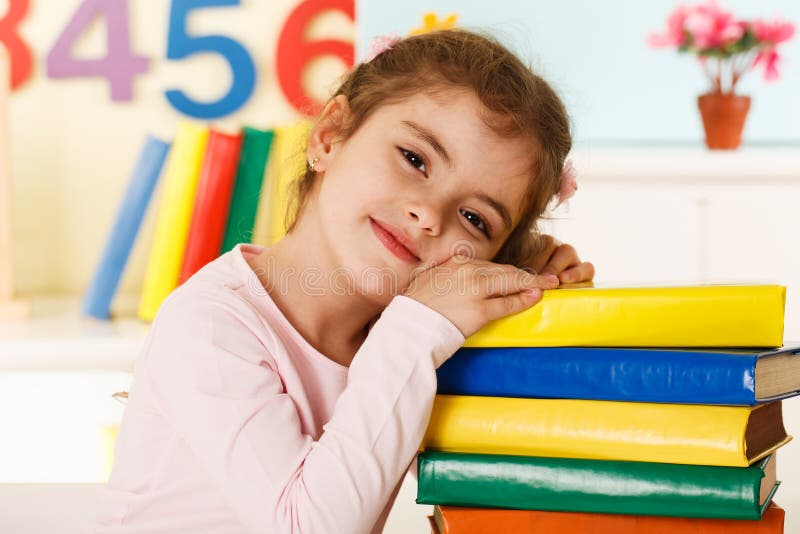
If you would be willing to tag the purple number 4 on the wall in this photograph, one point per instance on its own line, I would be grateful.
(120, 64)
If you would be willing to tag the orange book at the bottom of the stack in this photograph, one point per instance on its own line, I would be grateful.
(457, 520)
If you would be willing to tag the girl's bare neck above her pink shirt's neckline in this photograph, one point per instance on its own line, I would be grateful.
(335, 324)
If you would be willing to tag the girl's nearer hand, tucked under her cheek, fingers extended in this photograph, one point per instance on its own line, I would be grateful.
(471, 292)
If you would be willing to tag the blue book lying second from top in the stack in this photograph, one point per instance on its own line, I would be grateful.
(720, 376)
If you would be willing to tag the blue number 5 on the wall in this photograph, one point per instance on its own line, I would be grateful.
(180, 45)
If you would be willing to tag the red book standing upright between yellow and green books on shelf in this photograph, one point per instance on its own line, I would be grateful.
(213, 200)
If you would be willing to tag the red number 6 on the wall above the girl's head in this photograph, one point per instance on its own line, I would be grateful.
(295, 52)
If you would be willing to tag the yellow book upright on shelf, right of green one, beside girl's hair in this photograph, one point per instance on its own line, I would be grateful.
(286, 164)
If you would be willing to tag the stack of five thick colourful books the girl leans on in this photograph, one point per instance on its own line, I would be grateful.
(615, 410)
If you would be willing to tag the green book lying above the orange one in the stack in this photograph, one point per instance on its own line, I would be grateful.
(601, 486)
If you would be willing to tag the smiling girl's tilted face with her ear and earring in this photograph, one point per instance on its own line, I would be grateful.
(426, 172)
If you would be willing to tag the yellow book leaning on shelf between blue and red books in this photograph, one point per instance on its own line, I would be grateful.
(174, 217)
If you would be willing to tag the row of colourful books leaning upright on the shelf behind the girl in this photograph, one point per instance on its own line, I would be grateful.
(218, 189)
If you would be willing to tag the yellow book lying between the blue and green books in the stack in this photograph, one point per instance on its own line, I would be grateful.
(606, 430)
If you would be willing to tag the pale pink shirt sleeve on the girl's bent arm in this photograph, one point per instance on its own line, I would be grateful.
(215, 381)
